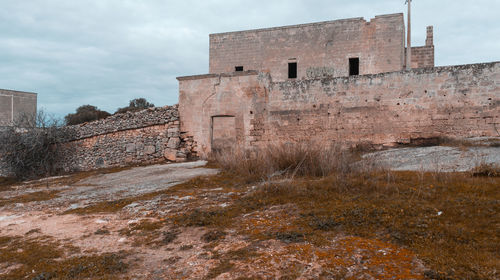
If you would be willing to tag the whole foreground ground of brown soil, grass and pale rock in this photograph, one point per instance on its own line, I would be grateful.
(385, 225)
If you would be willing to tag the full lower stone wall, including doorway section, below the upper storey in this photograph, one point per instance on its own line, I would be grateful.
(382, 109)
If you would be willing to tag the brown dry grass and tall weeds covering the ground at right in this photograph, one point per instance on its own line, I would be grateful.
(449, 220)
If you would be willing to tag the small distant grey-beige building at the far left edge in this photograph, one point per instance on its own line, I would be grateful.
(16, 104)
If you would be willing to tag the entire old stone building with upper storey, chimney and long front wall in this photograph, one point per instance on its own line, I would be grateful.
(340, 80)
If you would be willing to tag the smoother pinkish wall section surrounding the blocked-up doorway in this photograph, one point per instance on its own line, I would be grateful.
(203, 98)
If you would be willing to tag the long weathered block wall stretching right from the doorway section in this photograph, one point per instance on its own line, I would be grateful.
(459, 102)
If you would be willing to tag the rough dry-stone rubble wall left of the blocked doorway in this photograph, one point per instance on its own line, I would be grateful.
(148, 136)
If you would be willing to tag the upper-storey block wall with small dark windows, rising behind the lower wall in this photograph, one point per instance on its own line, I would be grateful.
(319, 49)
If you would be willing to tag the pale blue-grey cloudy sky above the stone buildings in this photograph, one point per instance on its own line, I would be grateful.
(106, 52)
